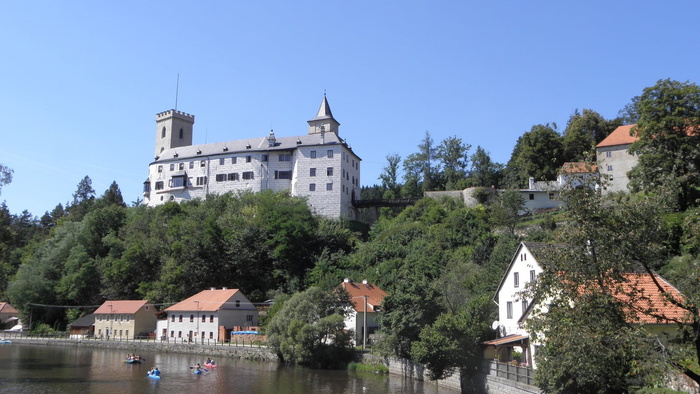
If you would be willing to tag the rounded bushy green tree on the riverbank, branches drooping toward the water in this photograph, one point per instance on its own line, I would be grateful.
(309, 329)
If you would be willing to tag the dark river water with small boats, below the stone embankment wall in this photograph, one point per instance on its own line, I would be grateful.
(58, 369)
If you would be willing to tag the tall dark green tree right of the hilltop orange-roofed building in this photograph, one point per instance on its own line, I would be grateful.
(669, 140)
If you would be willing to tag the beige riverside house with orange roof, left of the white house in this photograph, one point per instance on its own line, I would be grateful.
(125, 319)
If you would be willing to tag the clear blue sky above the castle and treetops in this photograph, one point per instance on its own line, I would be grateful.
(81, 82)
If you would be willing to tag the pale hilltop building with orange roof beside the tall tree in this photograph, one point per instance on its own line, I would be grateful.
(614, 158)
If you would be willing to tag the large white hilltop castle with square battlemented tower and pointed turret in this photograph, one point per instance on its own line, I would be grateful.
(319, 165)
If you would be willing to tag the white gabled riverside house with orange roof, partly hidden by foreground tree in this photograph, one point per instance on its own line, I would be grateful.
(649, 307)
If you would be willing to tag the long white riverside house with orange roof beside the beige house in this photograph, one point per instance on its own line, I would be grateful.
(209, 315)
